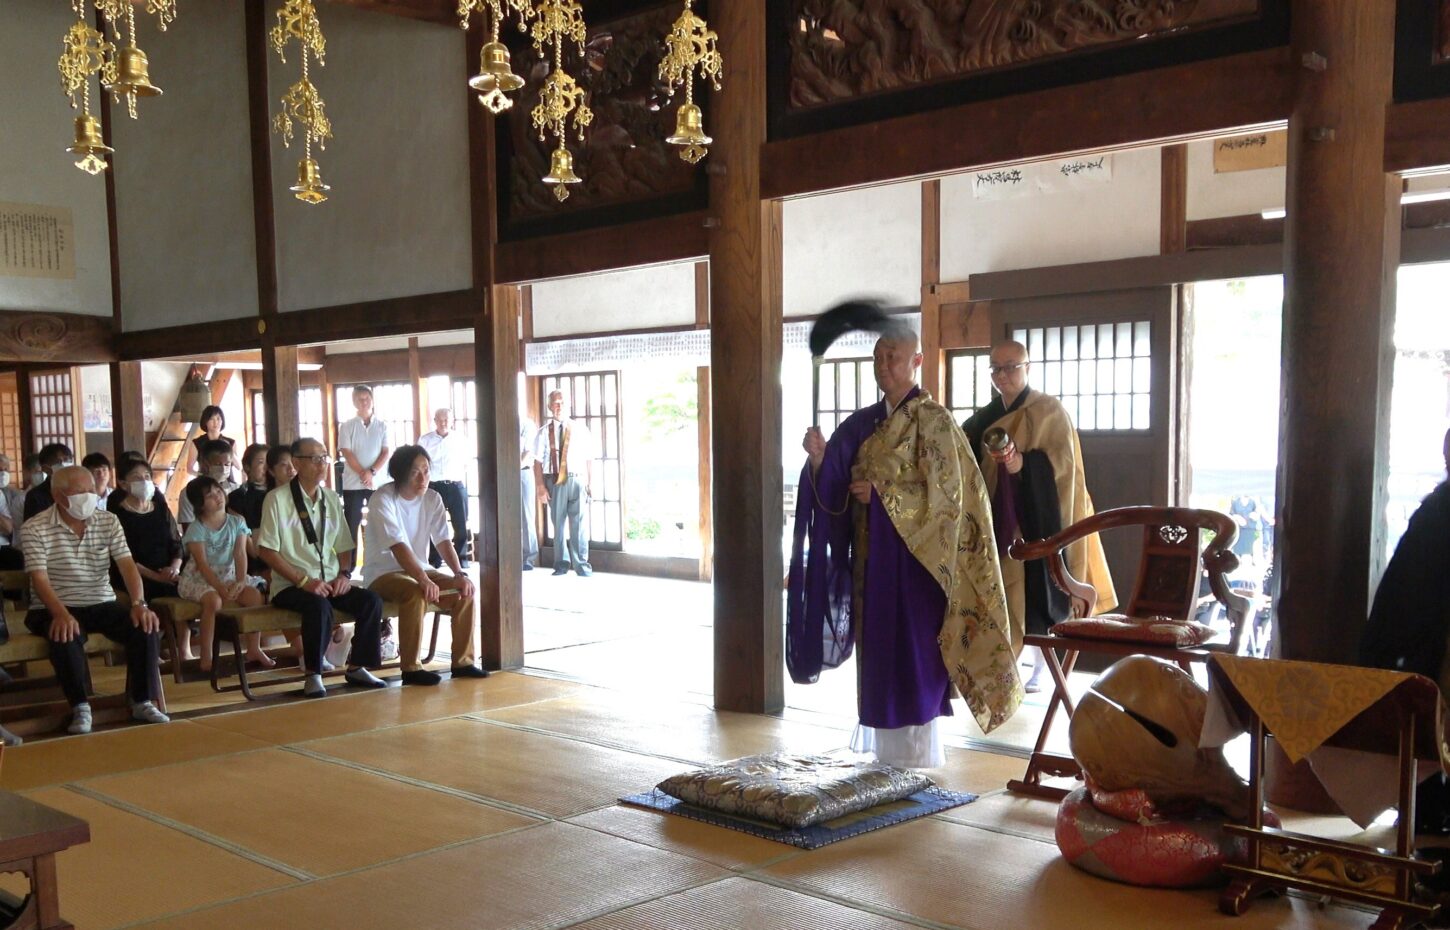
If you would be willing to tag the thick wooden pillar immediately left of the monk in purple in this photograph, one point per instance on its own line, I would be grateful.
(746, 334)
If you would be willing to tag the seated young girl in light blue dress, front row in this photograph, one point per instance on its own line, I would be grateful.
(217, 572)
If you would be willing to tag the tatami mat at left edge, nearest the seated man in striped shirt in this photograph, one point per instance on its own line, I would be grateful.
(70, 760)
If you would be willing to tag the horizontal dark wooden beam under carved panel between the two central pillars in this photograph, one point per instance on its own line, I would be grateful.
(652, 242)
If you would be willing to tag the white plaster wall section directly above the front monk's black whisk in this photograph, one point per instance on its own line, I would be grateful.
(858, 243)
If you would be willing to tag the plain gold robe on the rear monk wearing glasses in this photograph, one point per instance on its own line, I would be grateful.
(1042, 424)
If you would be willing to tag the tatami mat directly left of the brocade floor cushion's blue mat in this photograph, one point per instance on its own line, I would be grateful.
(547, 774)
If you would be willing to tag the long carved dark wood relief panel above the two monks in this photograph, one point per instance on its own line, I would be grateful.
(849, 49)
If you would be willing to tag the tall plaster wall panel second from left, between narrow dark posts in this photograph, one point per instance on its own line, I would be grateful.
(185, 178)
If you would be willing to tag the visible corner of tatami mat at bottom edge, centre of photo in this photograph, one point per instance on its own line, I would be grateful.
(737, 905)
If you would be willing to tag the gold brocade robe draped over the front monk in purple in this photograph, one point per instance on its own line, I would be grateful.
(927, 478)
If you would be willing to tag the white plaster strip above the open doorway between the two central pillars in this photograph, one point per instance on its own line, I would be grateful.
(633, 300)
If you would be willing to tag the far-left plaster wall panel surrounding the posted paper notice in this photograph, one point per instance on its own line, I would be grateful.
(37, 124)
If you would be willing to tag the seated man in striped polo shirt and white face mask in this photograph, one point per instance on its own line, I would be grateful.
(73, 546)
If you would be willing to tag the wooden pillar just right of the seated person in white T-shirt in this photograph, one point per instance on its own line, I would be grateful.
(500, 548)
